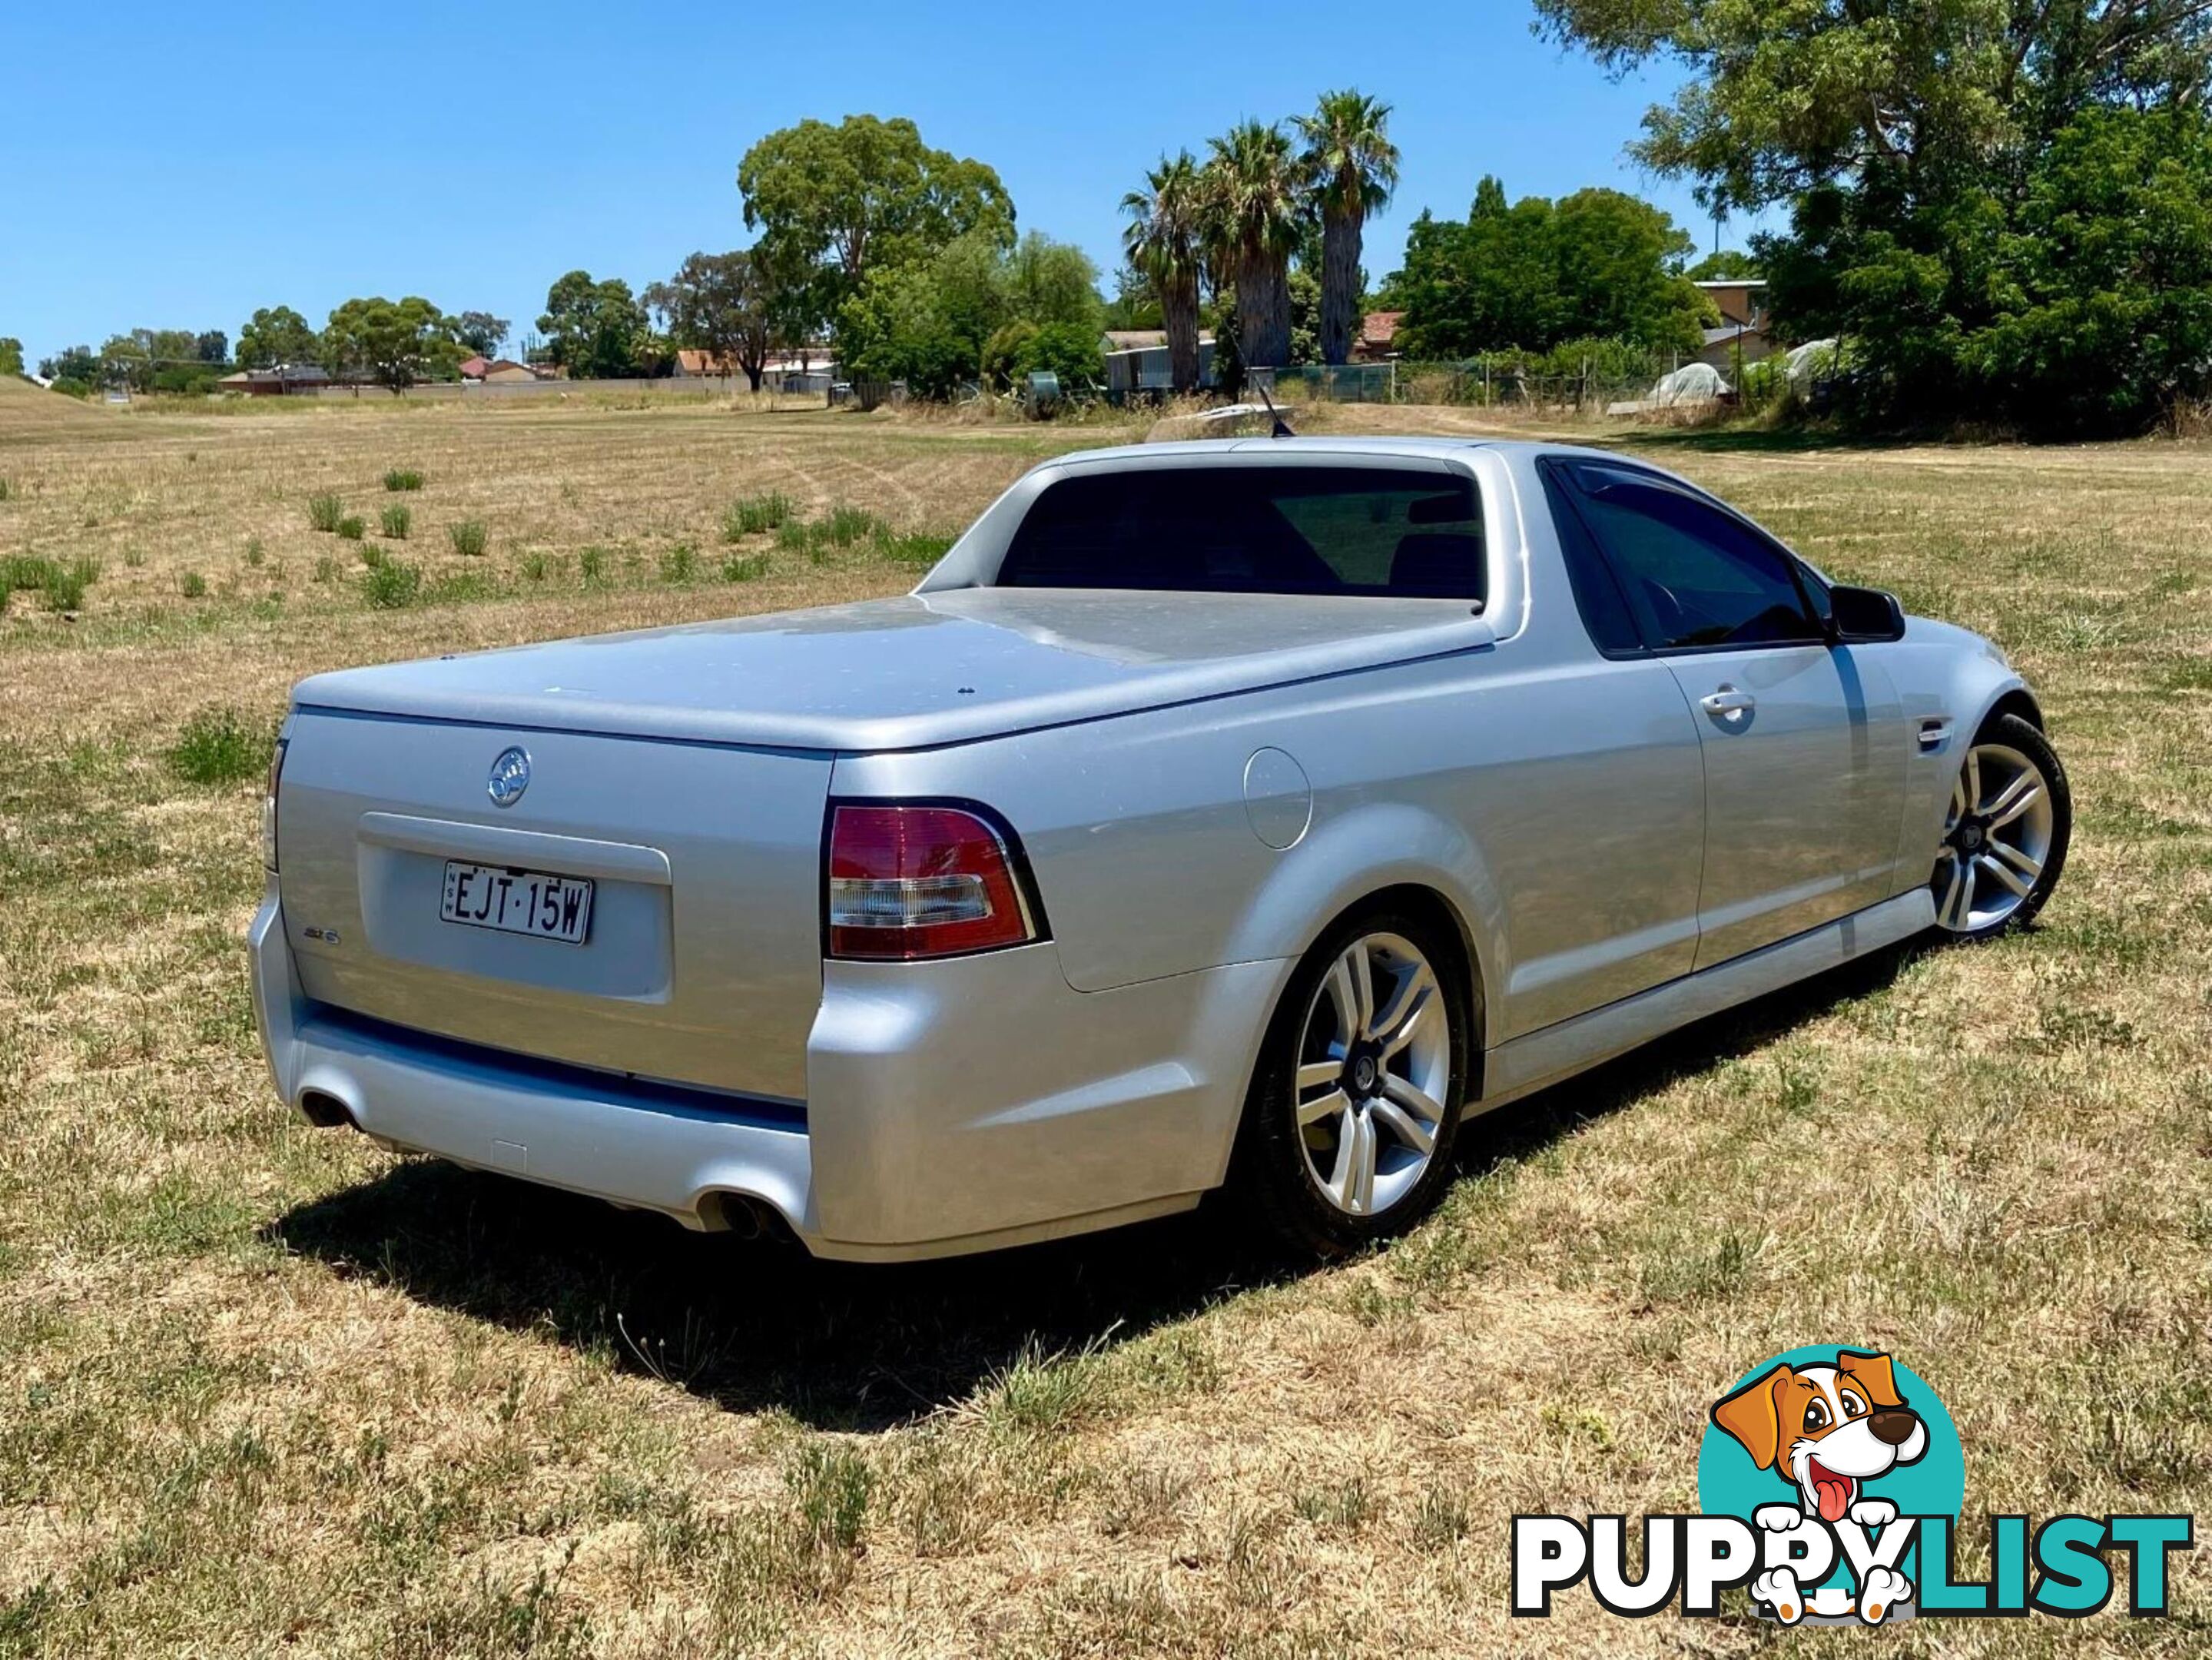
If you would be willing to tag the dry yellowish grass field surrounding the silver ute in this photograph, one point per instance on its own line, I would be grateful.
(271, 1391)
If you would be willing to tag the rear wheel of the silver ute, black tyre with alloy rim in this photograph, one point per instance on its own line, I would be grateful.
(1357, 1099)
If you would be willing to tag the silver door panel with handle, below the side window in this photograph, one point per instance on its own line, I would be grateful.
(1804, 789)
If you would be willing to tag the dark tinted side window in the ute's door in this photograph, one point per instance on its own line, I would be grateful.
(1693, 574)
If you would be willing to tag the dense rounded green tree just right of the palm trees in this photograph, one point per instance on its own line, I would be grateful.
(1598, 264)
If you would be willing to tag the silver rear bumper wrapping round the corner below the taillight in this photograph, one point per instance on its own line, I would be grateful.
(950, 1108)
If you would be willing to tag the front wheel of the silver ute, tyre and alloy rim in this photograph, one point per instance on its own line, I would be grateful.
(2005, 833)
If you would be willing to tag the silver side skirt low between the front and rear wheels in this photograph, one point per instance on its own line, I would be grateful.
(1563, 1050)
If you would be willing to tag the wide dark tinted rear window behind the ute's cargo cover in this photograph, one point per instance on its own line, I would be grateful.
(1255, 530)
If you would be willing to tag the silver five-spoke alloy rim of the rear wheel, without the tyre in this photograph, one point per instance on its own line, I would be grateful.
(1373, 1075)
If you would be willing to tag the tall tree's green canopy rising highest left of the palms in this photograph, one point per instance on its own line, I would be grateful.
(864, 196)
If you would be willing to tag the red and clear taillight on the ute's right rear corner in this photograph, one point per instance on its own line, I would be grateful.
(912, 882)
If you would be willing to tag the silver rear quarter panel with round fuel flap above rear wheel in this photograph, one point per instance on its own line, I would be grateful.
(1454, 776)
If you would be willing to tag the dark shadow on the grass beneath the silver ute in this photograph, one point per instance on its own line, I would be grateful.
(846, 1347)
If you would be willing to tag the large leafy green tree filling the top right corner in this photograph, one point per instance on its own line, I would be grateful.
(1921, 147)
